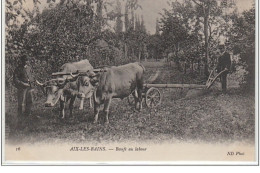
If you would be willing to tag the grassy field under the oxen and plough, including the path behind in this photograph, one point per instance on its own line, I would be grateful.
(184, 115)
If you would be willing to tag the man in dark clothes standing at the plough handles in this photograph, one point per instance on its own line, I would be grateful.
(224, 63)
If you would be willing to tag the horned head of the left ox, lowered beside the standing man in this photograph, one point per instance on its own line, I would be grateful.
(53, 89)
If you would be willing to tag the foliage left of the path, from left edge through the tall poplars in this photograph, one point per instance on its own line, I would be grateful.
(67, 31)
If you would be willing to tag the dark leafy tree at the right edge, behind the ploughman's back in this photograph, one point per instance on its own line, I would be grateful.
(243, 43)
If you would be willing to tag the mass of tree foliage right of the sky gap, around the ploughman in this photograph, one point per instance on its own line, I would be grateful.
(192, 30)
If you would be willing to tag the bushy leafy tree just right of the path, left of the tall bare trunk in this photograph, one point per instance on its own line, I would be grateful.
(175, 28)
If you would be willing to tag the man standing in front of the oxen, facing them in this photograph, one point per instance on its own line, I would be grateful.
(23, 80)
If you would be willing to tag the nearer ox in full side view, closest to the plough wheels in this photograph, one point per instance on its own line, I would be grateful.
(114, 82)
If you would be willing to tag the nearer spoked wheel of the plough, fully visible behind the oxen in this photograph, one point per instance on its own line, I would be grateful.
(153, 98)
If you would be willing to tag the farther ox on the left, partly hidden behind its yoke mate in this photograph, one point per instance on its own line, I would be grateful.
(63, 88)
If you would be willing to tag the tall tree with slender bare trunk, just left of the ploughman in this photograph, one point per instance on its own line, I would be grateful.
(212, 13)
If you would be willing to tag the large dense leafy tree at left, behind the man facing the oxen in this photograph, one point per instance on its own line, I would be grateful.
(68, 31)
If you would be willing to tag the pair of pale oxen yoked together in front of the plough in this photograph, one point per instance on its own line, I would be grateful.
(101, 85)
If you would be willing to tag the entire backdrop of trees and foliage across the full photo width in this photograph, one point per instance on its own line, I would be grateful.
(67, 31)
